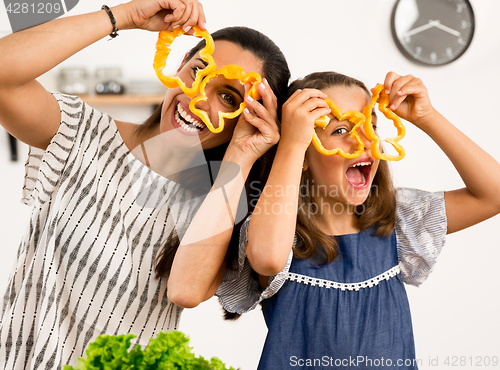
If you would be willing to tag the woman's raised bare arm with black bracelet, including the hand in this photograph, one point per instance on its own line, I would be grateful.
(27, 110)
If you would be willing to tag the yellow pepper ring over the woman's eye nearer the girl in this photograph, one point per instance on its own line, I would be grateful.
(231, 71)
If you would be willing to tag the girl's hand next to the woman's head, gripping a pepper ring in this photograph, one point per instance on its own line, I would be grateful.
(300, 112)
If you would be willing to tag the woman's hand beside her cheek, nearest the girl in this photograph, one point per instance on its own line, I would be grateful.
(257, 128)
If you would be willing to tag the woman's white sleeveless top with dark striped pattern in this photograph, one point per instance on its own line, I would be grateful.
(85, 264)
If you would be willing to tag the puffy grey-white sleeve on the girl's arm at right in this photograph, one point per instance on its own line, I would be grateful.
(420, 231)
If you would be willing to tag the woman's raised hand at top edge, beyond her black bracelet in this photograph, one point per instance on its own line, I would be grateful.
(158, 15)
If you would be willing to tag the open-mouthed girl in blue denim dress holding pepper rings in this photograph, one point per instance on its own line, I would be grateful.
(332, 241)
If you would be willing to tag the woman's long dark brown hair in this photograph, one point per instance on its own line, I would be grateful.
(276, 71)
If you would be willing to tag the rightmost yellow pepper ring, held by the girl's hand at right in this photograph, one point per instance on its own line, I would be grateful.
(379, 91)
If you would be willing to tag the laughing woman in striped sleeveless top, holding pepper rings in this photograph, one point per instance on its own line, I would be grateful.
(101, 211)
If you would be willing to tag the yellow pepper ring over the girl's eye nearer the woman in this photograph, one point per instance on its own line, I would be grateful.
(354, 117)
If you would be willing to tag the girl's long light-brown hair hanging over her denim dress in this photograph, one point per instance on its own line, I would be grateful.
(377, 212)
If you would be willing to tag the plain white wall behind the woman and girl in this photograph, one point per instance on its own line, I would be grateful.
(455, 313)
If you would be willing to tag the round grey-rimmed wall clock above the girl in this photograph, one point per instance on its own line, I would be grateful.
(432, 32)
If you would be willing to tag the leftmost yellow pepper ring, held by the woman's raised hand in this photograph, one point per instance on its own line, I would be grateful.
(165, 39)
